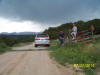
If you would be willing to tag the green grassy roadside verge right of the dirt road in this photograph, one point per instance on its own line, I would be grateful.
(78, 54)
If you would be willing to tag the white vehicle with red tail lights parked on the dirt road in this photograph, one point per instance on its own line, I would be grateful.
(42, 39)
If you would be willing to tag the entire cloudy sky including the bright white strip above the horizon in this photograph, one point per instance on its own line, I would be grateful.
(37, 15)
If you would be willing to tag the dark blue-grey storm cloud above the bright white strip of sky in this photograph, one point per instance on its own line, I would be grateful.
(50, 11)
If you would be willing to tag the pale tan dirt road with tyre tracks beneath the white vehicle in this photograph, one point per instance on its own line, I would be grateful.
(27, 60)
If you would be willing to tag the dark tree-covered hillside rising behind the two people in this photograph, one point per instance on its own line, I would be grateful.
(54, 31)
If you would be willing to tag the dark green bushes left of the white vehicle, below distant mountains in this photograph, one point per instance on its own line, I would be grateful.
(12, 40)
